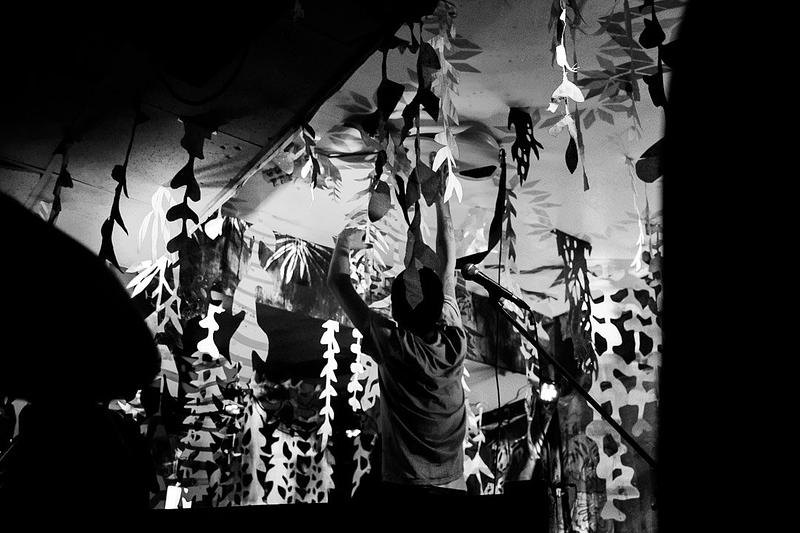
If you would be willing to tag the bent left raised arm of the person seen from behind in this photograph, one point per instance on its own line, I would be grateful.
(339, 277)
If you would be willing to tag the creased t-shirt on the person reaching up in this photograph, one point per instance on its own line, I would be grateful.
(423, 419)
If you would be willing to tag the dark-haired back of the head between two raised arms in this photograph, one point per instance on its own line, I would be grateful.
(421, 319)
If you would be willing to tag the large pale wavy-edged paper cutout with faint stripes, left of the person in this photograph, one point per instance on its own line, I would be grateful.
(250, 341)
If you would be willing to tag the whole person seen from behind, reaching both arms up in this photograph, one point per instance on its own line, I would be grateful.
(421, 359)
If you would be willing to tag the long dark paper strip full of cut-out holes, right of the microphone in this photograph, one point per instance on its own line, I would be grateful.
(573, 252)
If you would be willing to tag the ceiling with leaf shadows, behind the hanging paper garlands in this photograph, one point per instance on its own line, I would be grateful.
(287, 70)
